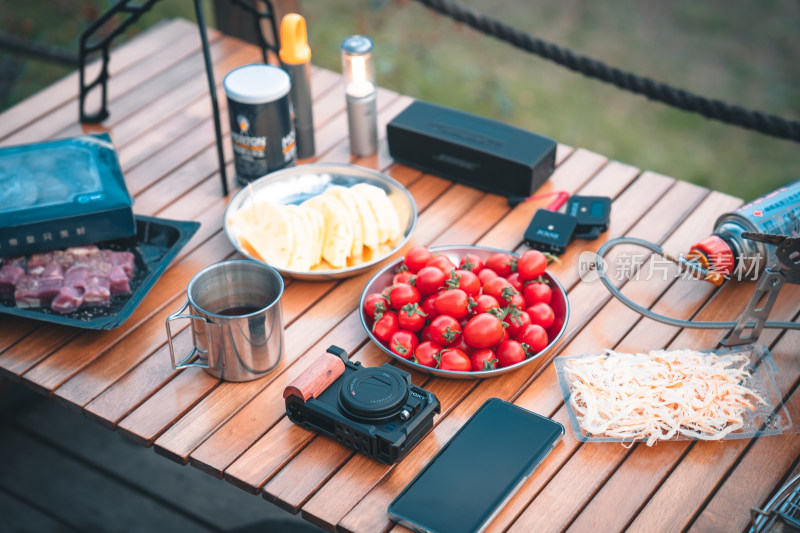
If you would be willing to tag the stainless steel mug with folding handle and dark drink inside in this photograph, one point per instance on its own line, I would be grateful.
(237, 324)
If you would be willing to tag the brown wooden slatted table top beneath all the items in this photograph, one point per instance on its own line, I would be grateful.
(161, 124)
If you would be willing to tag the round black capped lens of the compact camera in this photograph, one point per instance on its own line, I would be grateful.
(373, 393)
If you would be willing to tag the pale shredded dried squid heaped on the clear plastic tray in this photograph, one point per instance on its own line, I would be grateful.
(662, 394)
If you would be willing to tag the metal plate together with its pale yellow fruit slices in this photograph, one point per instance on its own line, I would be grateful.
(321, 221)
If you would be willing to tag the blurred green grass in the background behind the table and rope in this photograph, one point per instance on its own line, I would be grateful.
(741, 52)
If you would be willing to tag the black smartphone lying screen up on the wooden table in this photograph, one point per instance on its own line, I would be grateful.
(467, 483)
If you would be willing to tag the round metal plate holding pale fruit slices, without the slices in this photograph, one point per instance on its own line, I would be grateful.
(294, 185)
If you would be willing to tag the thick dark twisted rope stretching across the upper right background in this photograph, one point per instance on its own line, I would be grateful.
(592, 68)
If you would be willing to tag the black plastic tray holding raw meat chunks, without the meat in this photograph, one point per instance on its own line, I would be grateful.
(155, 245)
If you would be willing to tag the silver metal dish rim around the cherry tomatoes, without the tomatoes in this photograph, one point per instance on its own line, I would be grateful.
(559, 303)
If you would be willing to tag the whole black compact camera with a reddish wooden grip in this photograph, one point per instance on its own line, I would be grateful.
(374, 410)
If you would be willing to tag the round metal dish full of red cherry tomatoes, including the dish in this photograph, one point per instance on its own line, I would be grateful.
(465, 312)
